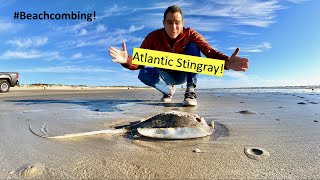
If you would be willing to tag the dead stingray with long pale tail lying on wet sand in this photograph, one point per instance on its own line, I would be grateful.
(168, 125)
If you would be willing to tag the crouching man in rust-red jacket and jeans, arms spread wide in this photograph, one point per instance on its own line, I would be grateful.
(175, 38)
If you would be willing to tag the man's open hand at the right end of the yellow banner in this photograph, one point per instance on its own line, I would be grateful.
(237, 63)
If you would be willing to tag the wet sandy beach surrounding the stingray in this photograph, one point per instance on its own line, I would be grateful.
(282, 123)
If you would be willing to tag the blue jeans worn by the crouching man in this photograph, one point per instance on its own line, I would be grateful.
(160, 79)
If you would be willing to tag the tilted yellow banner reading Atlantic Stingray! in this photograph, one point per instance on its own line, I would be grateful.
(179, 62)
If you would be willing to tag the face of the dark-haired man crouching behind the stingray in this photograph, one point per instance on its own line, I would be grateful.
(173, 24)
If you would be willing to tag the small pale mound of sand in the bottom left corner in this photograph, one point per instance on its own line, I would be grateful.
(27, 171)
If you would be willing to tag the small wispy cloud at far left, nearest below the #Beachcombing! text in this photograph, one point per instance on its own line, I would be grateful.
(28, 42)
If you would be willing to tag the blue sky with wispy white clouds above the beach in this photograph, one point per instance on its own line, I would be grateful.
(280, 37)
